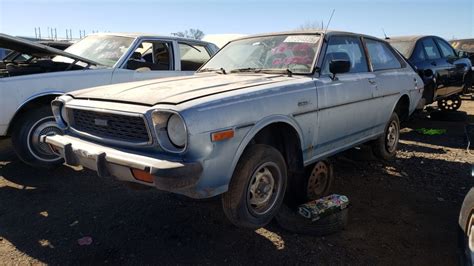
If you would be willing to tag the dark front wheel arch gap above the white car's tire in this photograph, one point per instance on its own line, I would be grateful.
(36, 100)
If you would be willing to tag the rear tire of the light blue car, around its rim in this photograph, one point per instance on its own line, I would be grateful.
(381, 146)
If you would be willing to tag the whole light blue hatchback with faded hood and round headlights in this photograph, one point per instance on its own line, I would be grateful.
(247, 123)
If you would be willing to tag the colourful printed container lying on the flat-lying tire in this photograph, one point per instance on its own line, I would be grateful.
(322, 207)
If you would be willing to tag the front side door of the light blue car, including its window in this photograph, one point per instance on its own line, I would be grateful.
(346, 114)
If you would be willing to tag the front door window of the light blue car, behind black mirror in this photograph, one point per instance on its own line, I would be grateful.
(345, 48)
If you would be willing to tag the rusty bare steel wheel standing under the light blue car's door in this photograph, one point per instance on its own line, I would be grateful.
(319, 181)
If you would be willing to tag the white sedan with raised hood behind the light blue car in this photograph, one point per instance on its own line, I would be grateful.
(30, 82)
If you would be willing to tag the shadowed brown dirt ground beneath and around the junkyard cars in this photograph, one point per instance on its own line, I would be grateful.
(403, 212)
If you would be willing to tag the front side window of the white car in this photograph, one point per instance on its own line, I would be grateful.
(152, 55)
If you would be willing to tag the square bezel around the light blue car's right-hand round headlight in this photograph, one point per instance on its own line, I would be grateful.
(160, 120)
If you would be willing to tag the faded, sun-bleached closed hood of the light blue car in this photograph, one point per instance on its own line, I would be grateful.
(176, 90)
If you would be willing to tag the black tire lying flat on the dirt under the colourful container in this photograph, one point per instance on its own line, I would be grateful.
(291, 221)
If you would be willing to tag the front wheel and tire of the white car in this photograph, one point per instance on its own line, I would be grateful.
(26, 143)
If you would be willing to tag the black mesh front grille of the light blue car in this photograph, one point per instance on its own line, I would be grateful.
(116, 127)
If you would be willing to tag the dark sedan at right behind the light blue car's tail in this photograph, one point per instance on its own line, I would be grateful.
(446, 74)
